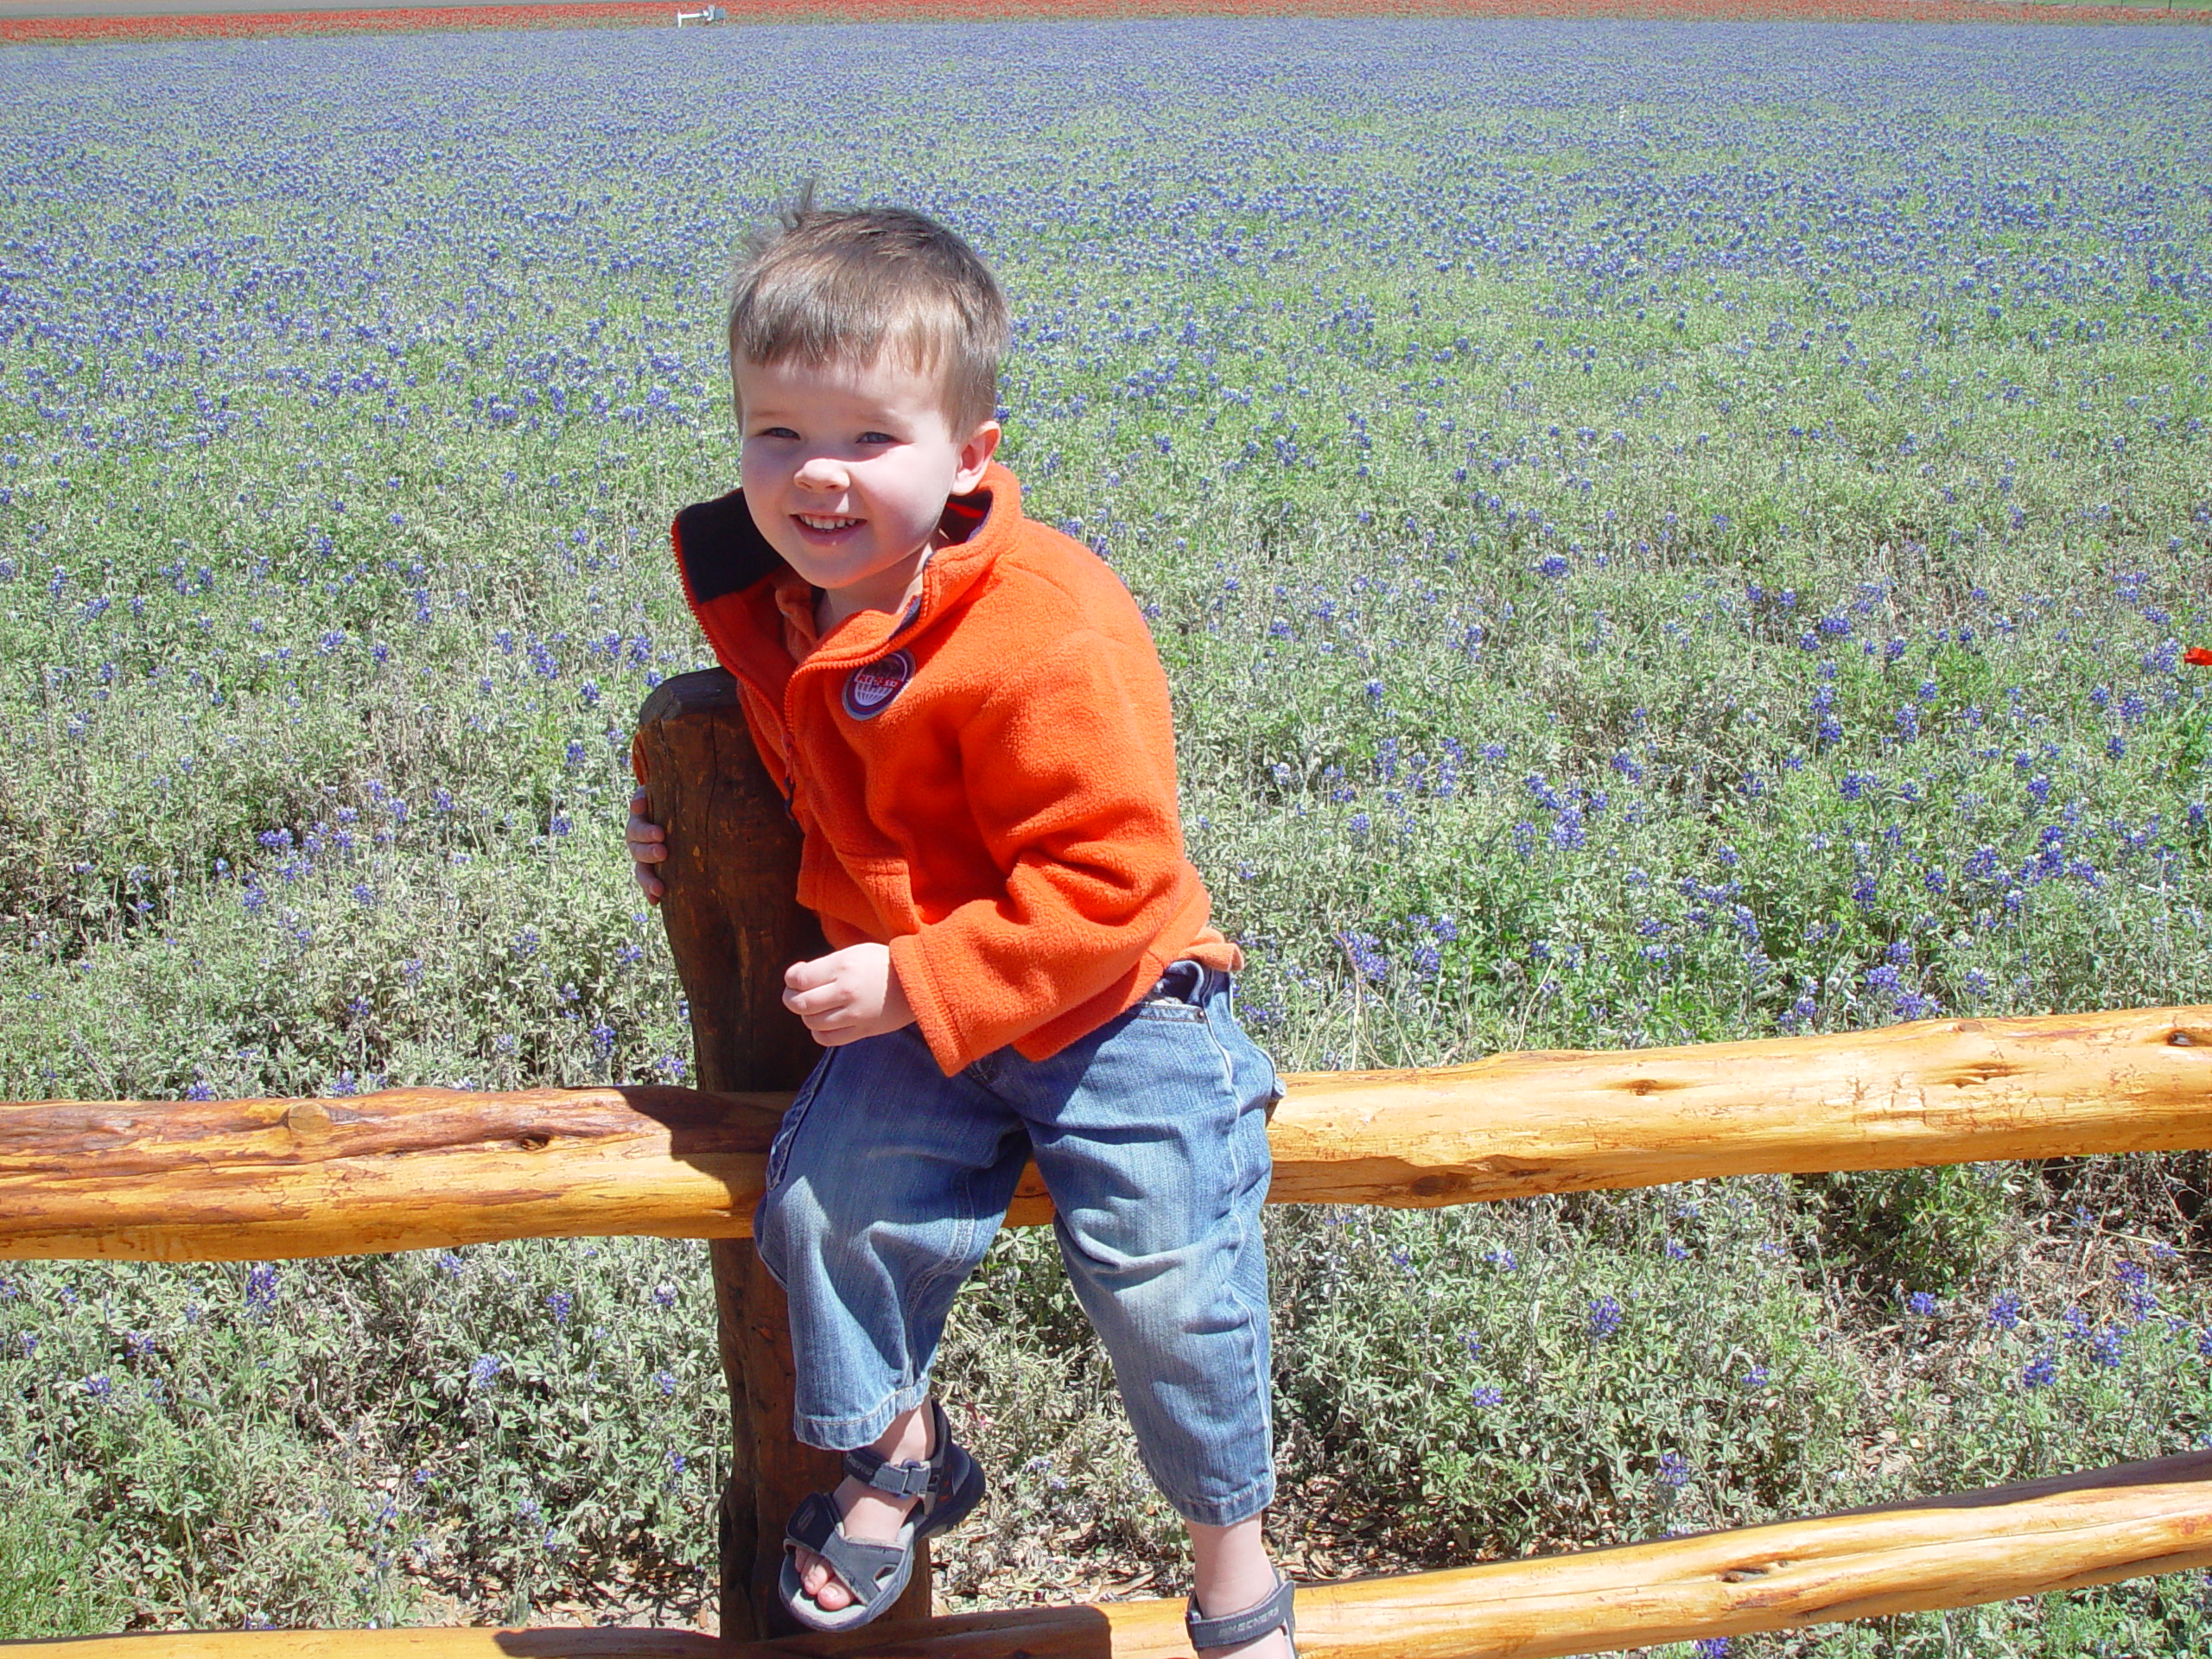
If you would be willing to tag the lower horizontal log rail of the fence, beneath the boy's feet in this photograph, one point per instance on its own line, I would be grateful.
(1932, 1554)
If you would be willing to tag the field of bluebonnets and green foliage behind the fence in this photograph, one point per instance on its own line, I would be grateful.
(1658, 532)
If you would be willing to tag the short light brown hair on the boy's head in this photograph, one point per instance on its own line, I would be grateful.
(828, 286)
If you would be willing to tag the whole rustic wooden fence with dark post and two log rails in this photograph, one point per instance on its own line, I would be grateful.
(421, 1167)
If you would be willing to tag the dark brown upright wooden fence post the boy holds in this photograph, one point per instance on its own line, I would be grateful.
(733, 926)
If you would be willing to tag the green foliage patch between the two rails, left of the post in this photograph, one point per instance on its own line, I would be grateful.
(364, 1441)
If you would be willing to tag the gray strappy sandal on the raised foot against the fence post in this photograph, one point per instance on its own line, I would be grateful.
(948, 1485)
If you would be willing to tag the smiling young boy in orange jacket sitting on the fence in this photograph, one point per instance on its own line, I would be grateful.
(972, 729)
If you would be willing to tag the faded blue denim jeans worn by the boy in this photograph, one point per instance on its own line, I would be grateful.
(888, 1182)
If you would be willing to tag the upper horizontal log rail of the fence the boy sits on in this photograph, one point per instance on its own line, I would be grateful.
(417, 1169)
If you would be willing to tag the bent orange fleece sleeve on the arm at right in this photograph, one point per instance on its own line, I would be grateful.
(1070, 773)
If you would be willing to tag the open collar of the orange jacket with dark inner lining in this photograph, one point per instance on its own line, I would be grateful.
(722, 552)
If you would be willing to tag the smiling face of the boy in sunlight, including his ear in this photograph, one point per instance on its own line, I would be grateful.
(848, 468)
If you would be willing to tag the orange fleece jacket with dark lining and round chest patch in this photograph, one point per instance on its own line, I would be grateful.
(983, 784)
